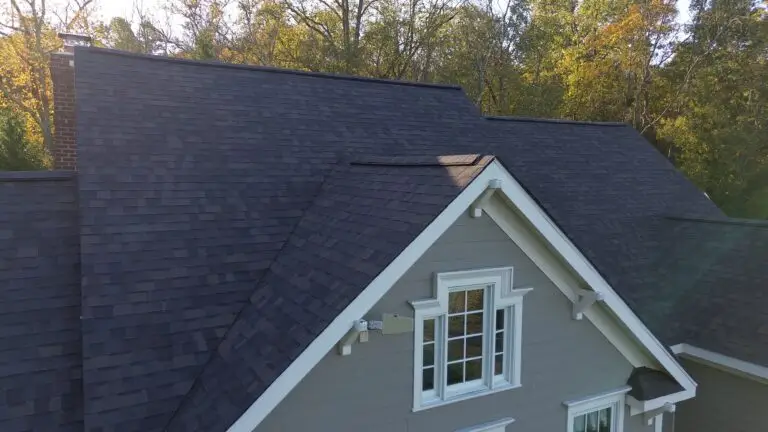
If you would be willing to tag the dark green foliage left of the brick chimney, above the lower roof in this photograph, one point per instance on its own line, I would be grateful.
(17, 153)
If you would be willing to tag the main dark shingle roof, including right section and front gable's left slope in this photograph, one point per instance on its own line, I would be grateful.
(201, 186)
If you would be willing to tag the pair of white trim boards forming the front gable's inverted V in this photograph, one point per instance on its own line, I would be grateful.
(529, 209)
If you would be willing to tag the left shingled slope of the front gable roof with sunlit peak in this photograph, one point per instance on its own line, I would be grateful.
(363, 217)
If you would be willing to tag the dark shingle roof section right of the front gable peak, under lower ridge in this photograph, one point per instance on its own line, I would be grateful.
(608, 190)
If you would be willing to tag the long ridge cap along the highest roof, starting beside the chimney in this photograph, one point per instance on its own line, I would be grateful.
(268, 69)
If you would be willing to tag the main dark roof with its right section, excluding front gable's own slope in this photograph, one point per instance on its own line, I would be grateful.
(194, 175)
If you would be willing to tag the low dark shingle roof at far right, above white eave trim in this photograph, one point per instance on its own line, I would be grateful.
(717, 278)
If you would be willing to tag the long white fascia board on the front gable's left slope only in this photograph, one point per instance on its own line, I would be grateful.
(316, 350)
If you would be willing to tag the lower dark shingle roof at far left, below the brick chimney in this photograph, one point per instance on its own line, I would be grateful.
(40, 359)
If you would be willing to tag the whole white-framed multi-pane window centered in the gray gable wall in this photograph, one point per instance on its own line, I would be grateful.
(467, 339)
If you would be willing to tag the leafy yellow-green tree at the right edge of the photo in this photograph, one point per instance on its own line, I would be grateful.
(716, 107)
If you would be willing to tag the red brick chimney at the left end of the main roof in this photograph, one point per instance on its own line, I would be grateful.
(64, 151)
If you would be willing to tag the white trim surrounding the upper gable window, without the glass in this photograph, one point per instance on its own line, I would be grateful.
(503, 296)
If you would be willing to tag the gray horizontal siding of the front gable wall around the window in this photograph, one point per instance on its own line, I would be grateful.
(372, 389)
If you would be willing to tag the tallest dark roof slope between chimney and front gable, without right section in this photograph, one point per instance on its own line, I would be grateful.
(192, 177)
